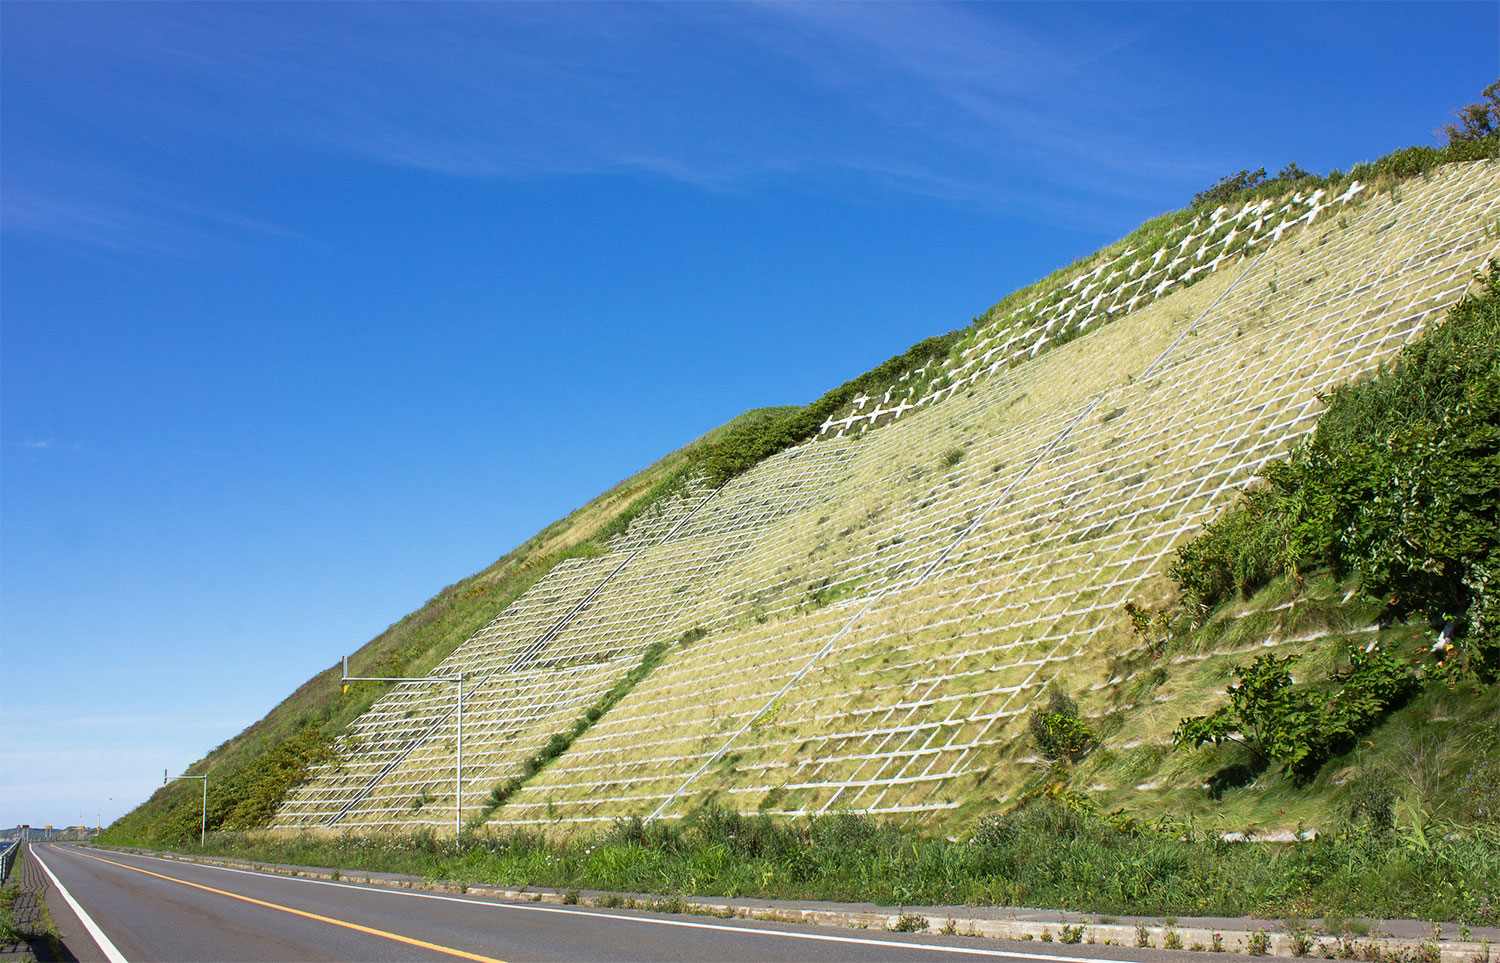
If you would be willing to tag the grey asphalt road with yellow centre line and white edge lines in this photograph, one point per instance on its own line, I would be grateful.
(142, 908)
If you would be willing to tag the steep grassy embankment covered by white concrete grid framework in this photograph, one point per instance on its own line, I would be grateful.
(860, 622)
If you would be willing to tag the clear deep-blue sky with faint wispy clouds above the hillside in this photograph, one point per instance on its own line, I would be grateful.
(308, 311)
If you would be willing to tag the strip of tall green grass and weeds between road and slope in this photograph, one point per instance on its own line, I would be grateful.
(1049, 854)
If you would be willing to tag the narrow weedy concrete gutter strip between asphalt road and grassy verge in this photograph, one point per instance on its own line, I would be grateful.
(1388, 941)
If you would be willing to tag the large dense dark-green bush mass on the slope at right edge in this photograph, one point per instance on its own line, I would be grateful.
(1399, 485)
